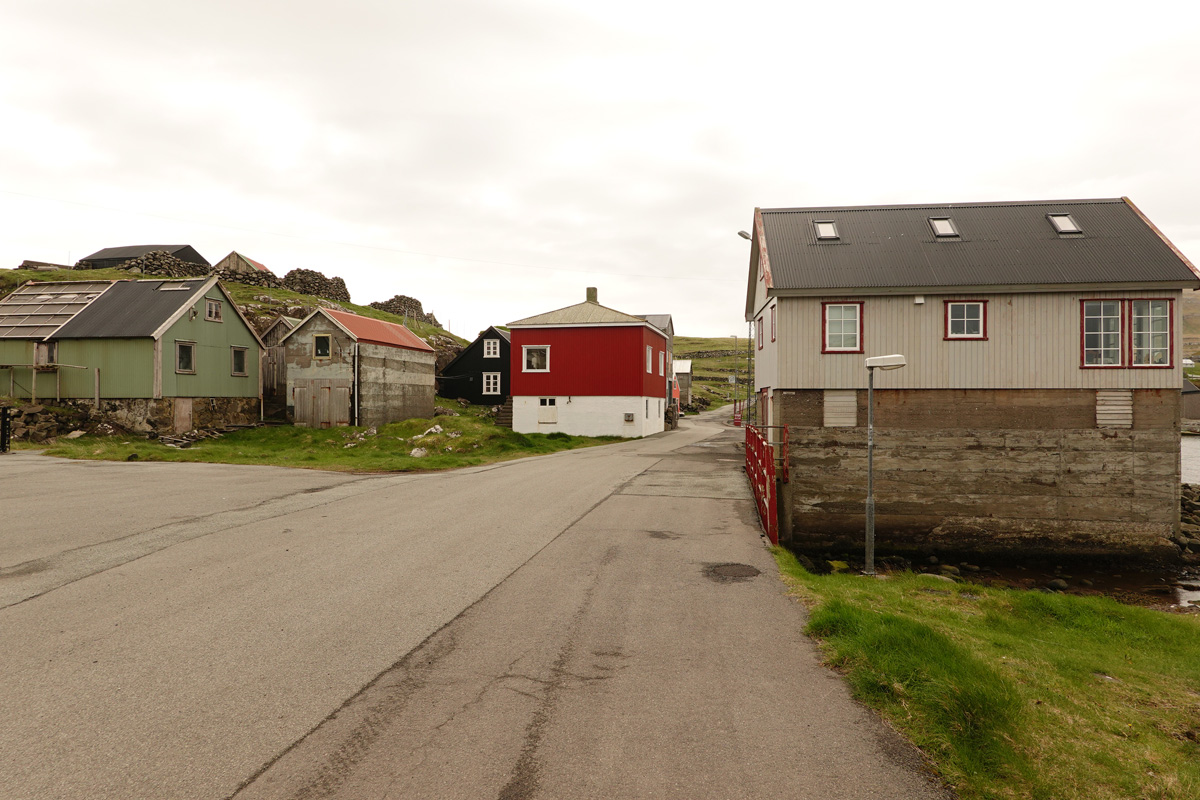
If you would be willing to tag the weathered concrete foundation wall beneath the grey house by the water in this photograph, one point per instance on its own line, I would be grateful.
(987, 472)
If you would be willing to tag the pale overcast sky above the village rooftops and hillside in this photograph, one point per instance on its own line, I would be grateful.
(493, 160)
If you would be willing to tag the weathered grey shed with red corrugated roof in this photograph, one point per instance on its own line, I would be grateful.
(349, 370)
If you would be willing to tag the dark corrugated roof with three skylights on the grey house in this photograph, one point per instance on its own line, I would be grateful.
(999, 244)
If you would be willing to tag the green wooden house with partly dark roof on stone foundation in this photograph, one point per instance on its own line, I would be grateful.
(154, 356)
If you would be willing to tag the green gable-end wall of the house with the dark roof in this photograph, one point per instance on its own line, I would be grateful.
(214, 358)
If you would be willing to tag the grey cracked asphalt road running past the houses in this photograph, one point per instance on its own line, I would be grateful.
(548, 628)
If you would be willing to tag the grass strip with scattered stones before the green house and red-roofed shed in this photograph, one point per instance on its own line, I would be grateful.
(465, 442)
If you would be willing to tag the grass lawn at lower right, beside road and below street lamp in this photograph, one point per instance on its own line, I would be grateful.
(1019, 694)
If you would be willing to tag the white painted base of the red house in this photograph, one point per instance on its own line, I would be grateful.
(590, 417)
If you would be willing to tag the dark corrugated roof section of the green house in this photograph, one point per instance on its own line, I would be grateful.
(131, 310)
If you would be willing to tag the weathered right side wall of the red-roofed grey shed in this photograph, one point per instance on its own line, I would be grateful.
(395, 384)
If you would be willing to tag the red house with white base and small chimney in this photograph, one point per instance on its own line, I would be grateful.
(590, 371)
